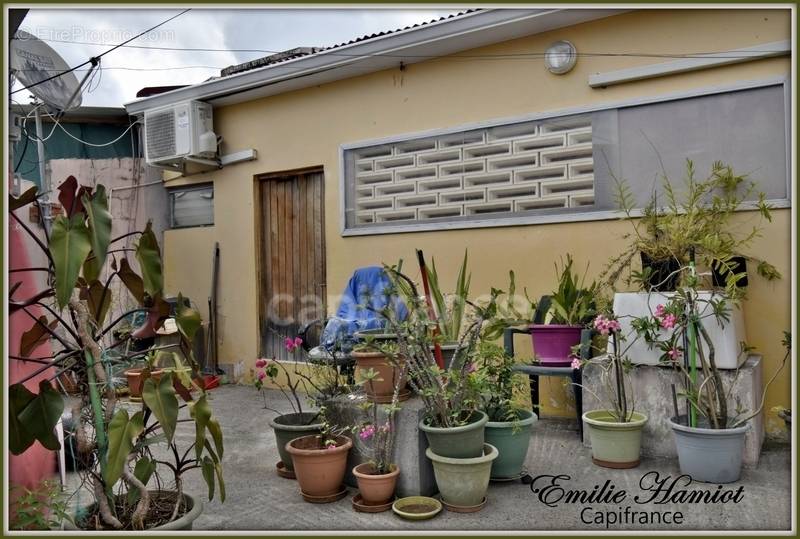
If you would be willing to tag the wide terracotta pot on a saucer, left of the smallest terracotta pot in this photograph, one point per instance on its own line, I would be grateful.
(319, 471)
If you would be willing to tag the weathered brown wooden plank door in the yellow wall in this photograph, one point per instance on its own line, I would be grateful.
(292, 257)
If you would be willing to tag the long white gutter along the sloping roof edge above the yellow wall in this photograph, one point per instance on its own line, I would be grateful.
(441, 38)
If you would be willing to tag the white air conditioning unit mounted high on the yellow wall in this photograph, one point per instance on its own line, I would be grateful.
(177, 132)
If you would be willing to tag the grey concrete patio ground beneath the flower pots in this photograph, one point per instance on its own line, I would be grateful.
(257, 499)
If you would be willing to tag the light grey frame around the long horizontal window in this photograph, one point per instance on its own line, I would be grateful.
(565, 217)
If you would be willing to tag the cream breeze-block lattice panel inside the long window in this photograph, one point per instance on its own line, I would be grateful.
(499, 171)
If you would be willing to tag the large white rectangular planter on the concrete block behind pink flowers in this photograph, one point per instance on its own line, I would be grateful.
(727, 340)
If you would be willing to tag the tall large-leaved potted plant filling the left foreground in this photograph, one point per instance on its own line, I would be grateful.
(114, 445)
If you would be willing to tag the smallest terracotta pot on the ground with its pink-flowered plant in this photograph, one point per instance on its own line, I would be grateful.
(377, 478)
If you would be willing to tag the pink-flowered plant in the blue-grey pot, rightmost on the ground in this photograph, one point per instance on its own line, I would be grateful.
(710, 435)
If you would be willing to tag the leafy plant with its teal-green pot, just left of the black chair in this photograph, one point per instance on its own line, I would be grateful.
(509, 426)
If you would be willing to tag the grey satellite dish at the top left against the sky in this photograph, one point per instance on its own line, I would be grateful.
(33, 61)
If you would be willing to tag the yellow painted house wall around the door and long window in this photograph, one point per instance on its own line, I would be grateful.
(306, 127)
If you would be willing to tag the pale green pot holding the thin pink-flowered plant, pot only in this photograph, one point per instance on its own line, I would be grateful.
(614, 445)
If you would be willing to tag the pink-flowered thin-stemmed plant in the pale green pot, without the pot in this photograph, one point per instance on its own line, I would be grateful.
(615, 368)
